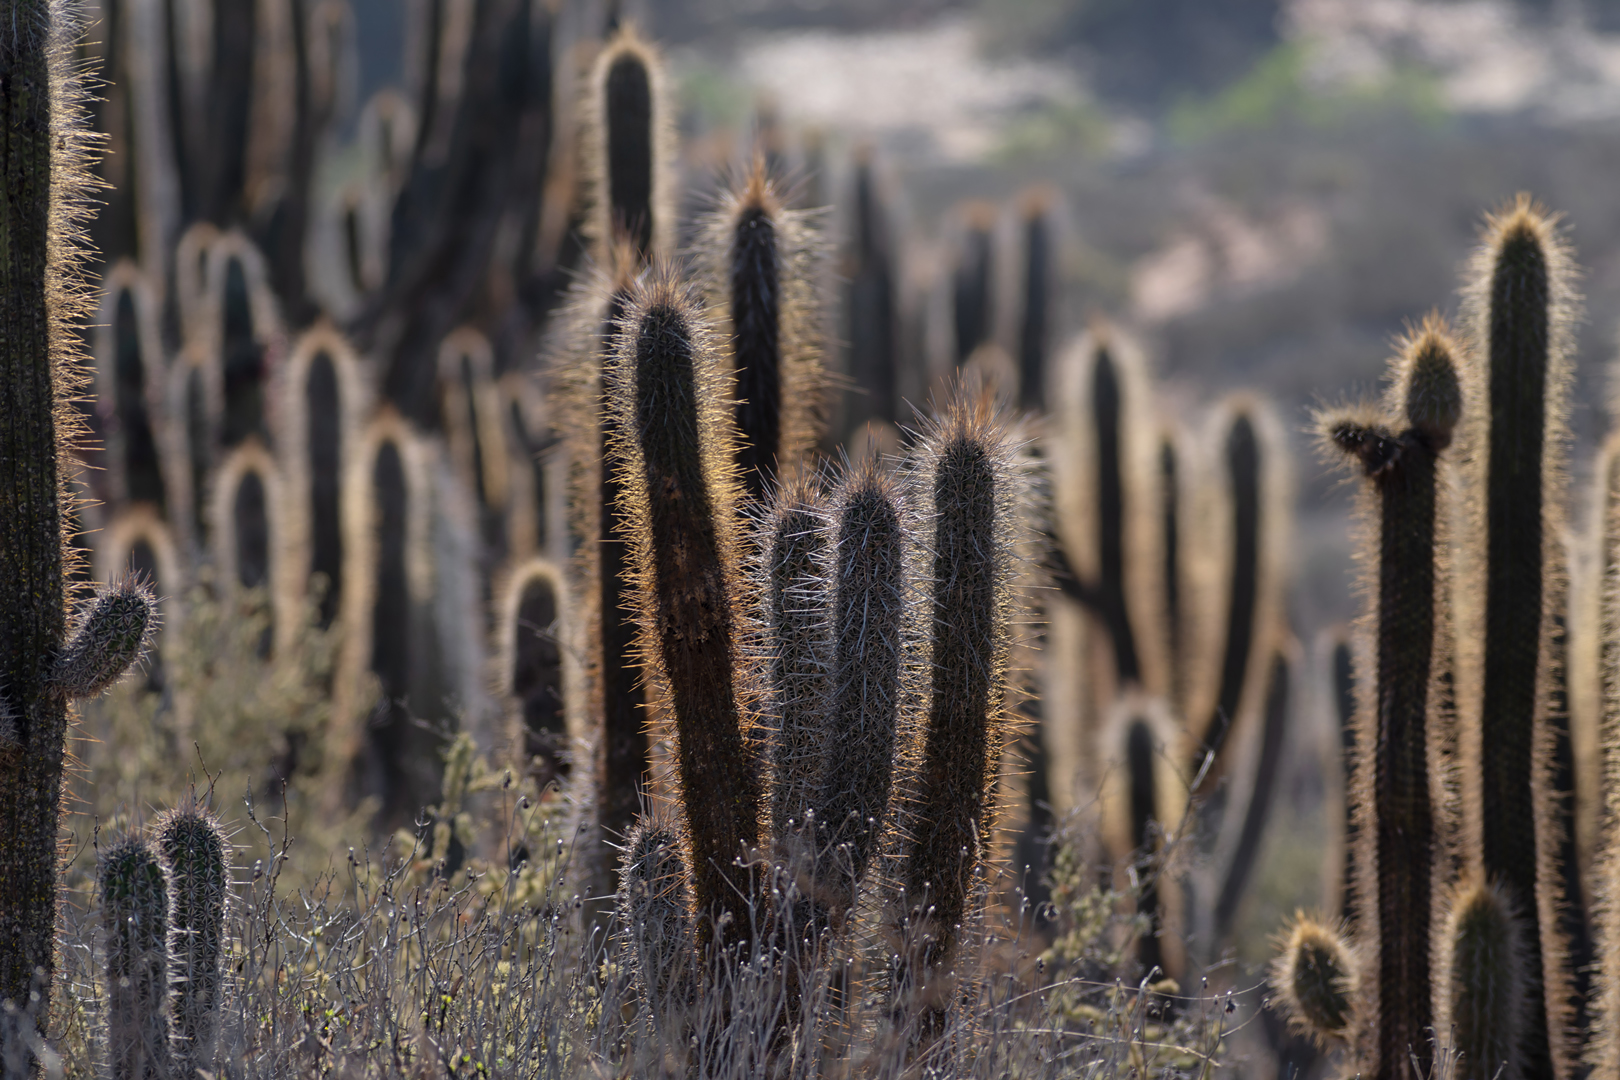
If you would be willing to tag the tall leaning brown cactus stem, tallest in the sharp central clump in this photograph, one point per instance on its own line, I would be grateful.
(673, 446)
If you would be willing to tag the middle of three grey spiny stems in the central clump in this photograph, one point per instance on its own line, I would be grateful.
(871, 600)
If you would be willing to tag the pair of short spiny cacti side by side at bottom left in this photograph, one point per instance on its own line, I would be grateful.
(163, 899)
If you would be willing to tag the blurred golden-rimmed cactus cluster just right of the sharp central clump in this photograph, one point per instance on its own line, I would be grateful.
(1182, 686)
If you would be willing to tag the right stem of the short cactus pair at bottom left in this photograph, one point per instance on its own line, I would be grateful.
(197, 853)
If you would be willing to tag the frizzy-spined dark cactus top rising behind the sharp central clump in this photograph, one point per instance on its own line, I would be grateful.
(764, 263)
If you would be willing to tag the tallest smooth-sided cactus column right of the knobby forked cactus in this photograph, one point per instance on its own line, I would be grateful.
(1520, 304)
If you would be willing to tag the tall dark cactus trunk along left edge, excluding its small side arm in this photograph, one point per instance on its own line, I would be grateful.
(43, 161)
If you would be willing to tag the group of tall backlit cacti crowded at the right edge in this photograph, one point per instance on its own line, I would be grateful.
(1469, 895)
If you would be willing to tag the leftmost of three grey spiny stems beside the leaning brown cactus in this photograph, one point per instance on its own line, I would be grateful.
(793, 551)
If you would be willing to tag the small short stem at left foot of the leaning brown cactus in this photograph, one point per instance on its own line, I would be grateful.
(657, 921)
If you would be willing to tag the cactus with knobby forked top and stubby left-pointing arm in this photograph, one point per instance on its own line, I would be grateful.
(1399, 451)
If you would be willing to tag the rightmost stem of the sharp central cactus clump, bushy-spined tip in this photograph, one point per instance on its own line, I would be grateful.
(970, 487)
